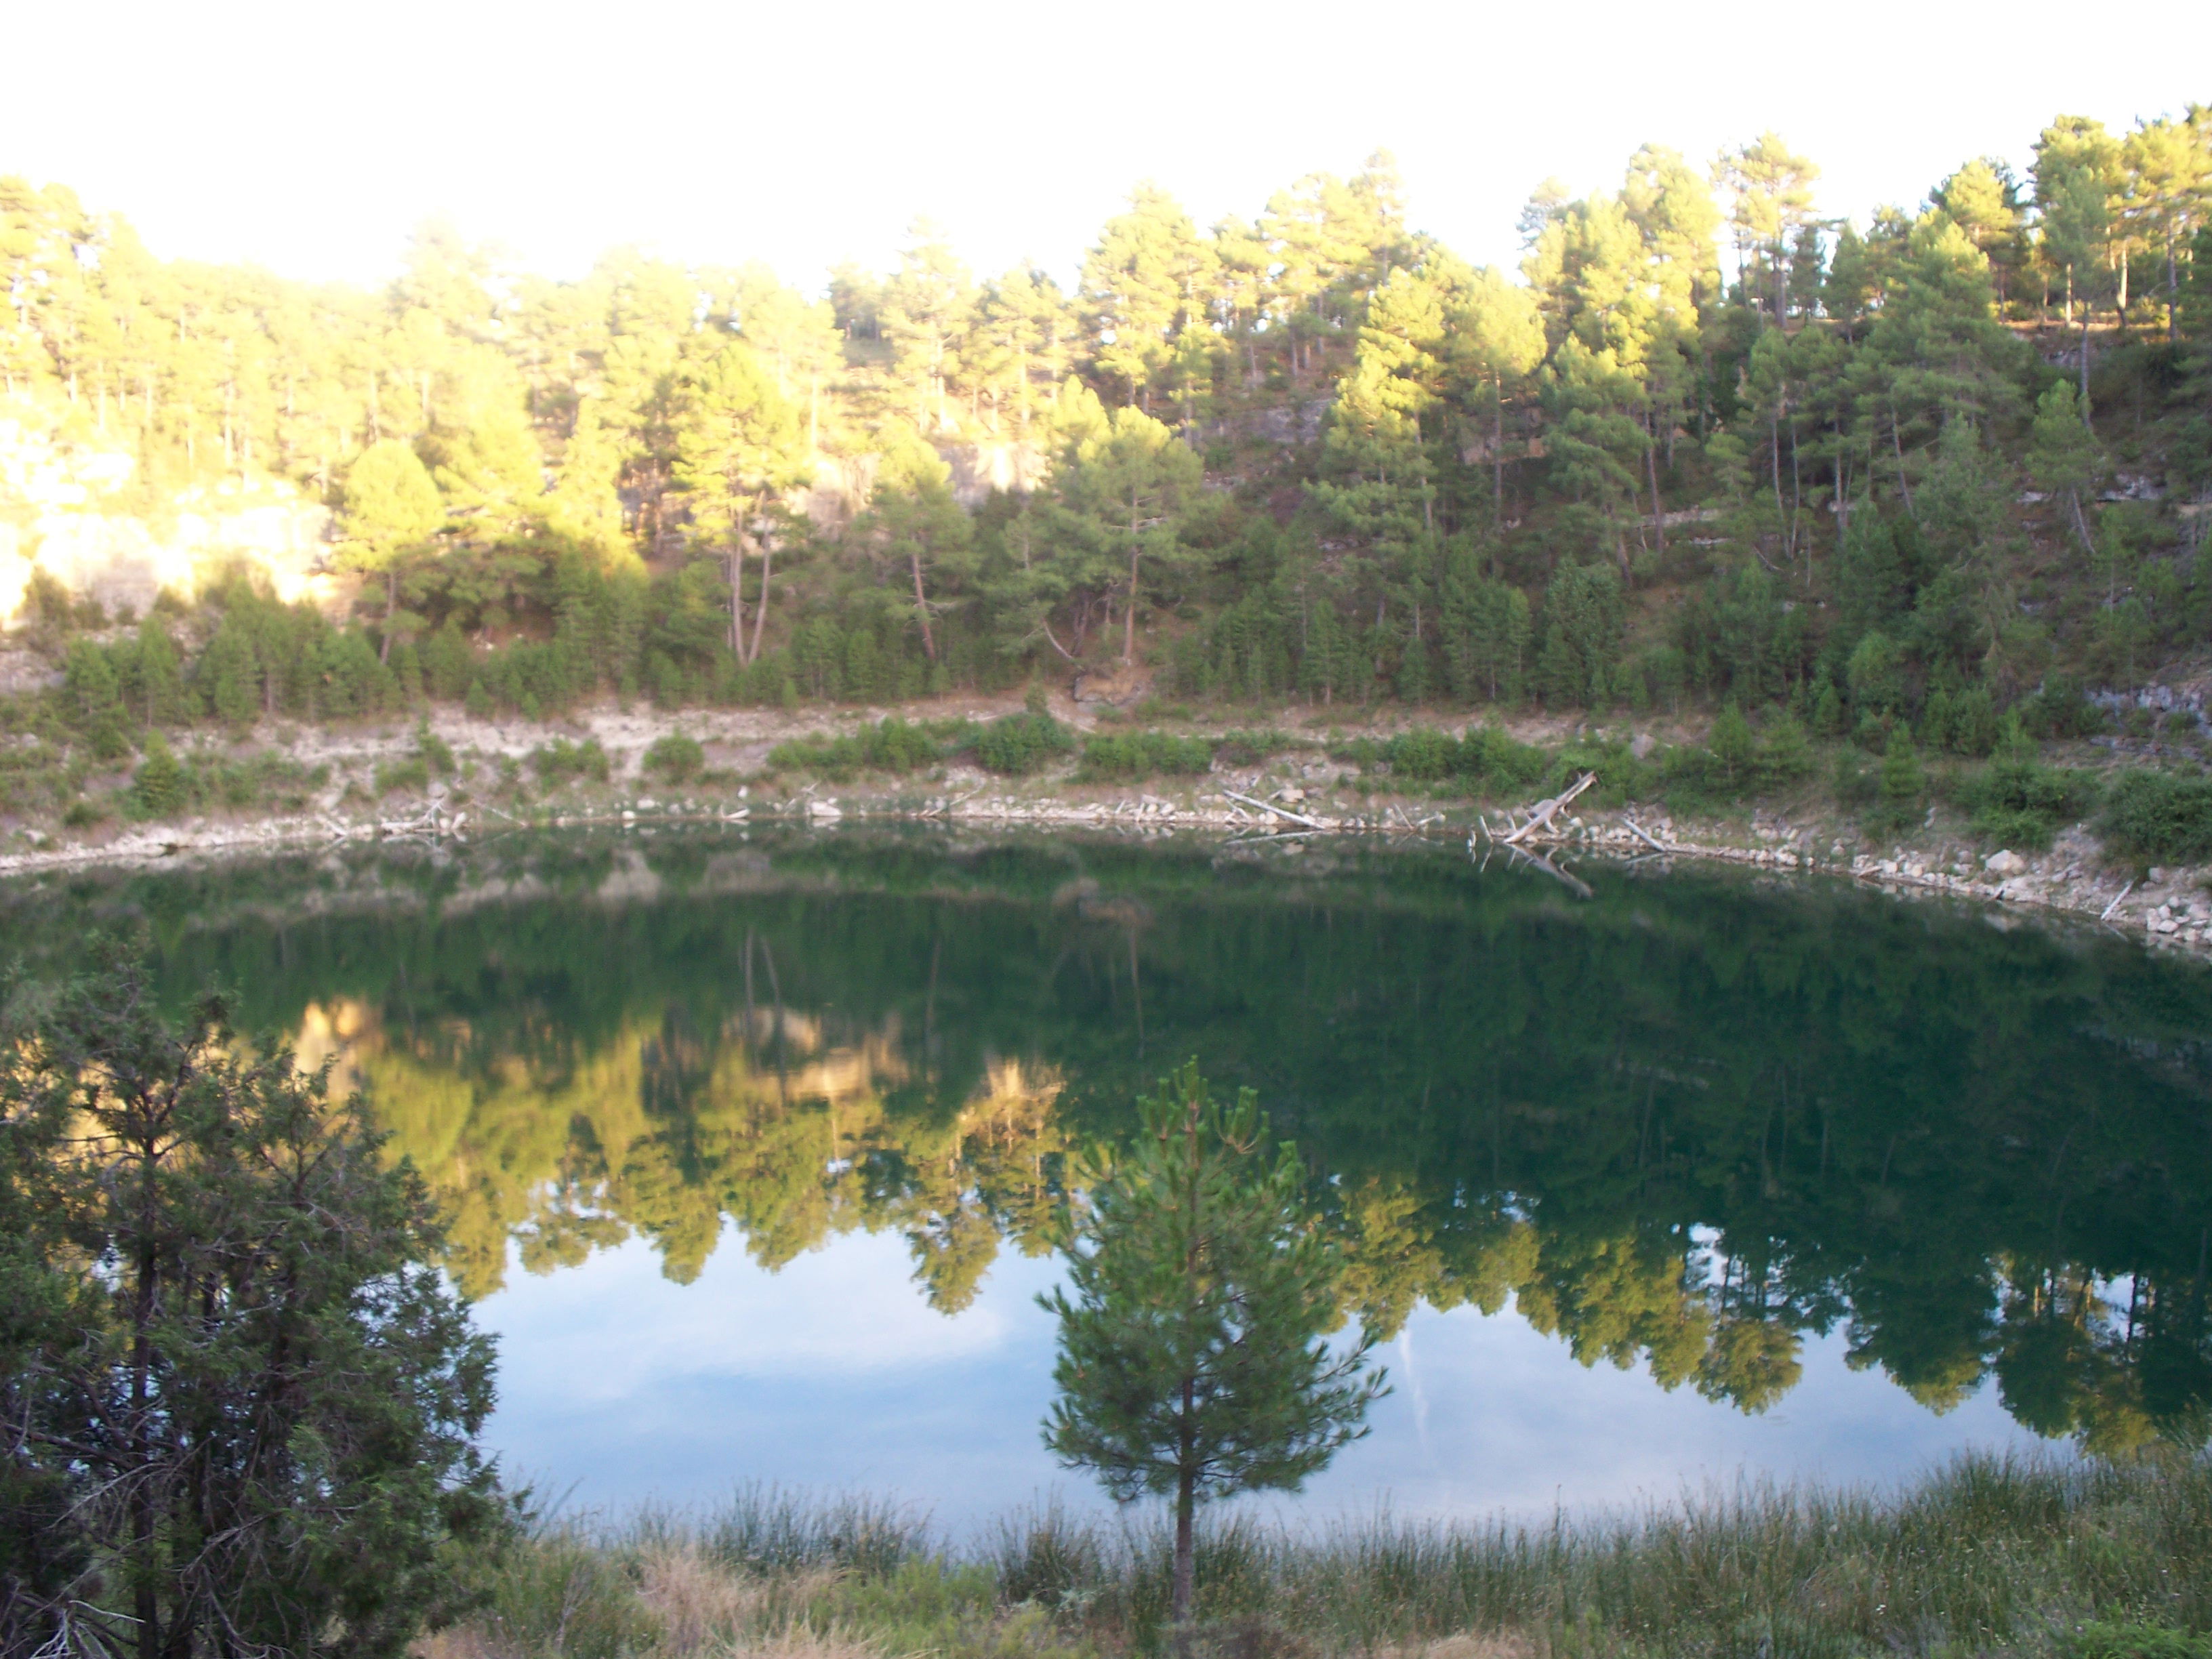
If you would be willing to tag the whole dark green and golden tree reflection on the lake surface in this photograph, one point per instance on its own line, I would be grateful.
(1682, 1127)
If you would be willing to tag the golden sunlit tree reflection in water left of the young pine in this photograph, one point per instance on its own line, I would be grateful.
(669, 1131)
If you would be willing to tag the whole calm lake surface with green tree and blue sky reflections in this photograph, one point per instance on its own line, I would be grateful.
(753, 1145)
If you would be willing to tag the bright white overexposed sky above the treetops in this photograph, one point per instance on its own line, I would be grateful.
(311, 138)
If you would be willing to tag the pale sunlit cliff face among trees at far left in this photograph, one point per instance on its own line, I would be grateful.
(63, 510)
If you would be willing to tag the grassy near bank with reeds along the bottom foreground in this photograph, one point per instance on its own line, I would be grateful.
(1987, 1556)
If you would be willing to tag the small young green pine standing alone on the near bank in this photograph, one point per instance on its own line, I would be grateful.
(1191, 1350)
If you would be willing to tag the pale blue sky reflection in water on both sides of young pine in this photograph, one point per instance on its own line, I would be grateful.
(833, 1373)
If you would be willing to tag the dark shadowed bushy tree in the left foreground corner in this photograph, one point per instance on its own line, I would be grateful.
(238, 1395)
